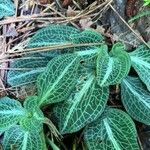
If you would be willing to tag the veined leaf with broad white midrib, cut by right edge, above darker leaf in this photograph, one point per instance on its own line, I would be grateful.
(140, 59)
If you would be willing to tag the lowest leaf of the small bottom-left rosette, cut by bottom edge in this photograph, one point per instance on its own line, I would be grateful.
(19, 139)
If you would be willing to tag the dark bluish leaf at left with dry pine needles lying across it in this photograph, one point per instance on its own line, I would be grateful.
(25, 70)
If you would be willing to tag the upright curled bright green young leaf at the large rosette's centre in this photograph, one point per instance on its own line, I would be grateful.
(112, 67)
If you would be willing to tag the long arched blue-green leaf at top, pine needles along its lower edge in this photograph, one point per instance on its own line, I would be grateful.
(52, 35)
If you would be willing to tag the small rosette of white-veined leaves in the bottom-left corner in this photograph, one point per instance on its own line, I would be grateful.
(23, 126)
